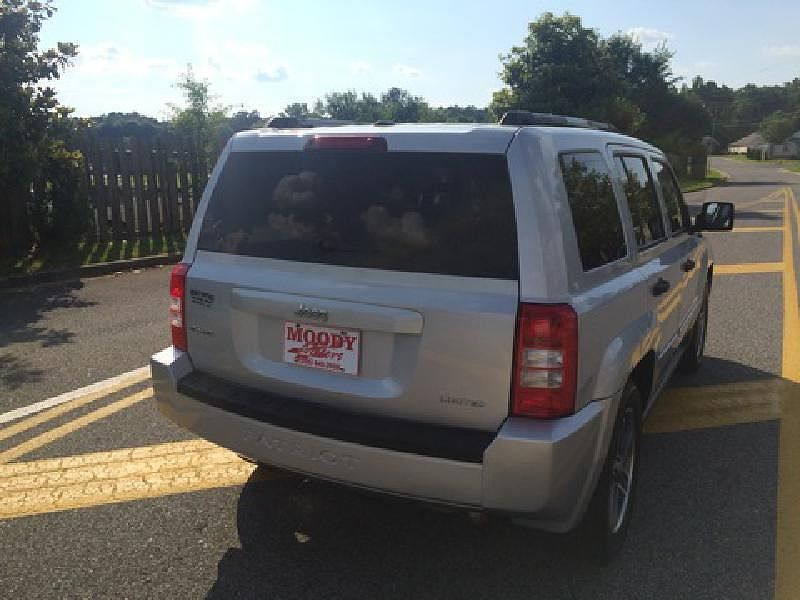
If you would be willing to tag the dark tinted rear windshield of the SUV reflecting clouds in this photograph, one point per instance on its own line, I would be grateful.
(404, 211)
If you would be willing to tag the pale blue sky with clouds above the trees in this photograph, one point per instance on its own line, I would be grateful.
(262, 55)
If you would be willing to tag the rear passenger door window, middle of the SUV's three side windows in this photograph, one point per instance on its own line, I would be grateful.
(648, 223)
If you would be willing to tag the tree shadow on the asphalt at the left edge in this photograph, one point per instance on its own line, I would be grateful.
(24, 312)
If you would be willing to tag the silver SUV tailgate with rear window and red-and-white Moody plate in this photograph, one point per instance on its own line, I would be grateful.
(383, 284)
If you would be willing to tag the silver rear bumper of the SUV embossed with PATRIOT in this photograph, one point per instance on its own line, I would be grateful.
(541, 473)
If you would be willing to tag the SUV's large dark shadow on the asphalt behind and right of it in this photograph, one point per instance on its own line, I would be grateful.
(303, 538)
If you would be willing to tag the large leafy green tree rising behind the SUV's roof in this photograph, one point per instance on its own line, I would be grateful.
(566, 68)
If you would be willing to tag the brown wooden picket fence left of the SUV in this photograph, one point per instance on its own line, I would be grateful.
(142, 187)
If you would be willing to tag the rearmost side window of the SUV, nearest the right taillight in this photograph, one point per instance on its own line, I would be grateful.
(598, 226)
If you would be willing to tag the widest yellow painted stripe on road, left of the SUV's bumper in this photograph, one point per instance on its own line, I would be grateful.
(119, 476)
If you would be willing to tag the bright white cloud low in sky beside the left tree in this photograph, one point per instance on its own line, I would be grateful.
(107, 59)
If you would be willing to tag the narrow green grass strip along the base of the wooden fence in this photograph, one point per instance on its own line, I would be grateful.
(87, 253)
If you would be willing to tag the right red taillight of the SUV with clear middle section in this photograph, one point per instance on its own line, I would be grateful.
(545, 361)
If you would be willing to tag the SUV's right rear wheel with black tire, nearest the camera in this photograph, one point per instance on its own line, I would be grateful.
(608, 517)
